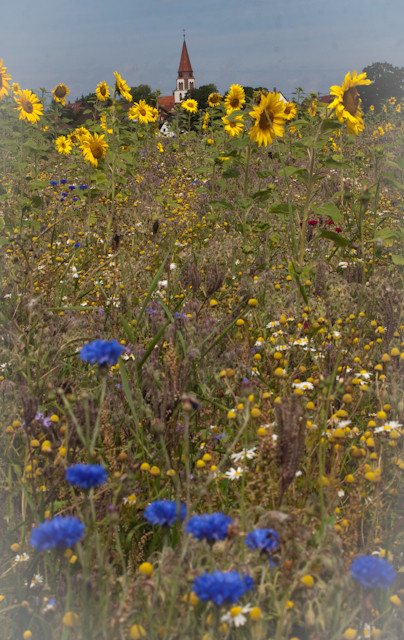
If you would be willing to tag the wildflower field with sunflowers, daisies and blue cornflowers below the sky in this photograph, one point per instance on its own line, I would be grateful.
(201, 361)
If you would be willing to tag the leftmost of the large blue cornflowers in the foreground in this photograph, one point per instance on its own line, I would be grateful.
(61, 532)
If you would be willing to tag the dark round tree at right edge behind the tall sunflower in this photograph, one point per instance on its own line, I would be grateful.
(388, 82)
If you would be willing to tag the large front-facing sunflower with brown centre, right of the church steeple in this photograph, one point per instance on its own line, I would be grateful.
(269, 118)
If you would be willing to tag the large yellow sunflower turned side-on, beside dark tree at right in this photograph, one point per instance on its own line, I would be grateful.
(347, 101)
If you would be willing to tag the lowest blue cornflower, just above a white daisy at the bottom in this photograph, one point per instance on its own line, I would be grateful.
(222, 586)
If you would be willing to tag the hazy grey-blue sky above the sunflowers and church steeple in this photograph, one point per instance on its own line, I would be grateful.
(271, 43)
